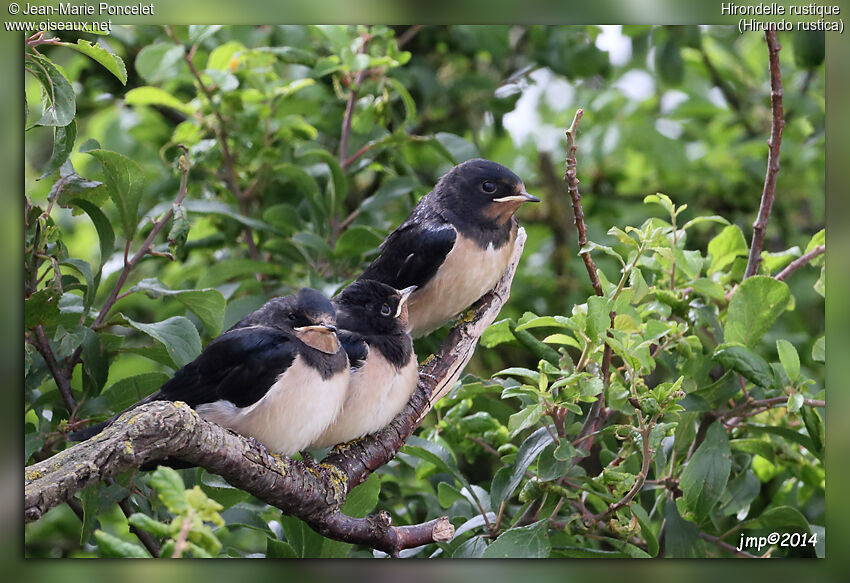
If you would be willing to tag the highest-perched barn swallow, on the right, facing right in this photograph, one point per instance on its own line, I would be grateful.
(455, 244)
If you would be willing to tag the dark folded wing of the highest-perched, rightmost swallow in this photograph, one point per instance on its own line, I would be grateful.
(411, 255)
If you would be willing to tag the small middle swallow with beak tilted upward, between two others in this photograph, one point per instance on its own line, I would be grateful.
(372, 318)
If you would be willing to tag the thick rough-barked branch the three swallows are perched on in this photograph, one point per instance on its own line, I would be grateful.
(165, 429)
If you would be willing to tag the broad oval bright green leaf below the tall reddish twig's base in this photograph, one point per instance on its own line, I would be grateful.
(754, 307)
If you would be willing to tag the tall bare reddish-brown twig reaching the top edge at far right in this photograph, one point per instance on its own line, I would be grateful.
(776, 125)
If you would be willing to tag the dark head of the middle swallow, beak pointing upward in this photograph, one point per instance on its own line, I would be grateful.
(372, 308)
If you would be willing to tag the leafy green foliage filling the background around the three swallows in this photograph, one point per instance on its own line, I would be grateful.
(308, 216)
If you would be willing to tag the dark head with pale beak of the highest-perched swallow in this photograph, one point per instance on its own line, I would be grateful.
(482, 191)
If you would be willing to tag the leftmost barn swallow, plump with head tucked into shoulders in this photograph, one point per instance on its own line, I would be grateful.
(279, 375)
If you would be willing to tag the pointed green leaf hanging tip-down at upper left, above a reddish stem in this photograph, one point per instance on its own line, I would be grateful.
(125, 182)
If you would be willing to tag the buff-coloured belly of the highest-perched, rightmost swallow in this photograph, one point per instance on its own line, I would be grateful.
(467, 274)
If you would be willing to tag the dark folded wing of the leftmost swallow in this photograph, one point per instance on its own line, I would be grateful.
(238, 366)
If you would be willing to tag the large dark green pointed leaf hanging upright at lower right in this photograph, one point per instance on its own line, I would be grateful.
(704, 478)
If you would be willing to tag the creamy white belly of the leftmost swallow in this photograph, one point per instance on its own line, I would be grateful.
(295, 411)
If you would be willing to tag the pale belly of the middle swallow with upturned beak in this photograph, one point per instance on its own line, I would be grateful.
(378, 392)
